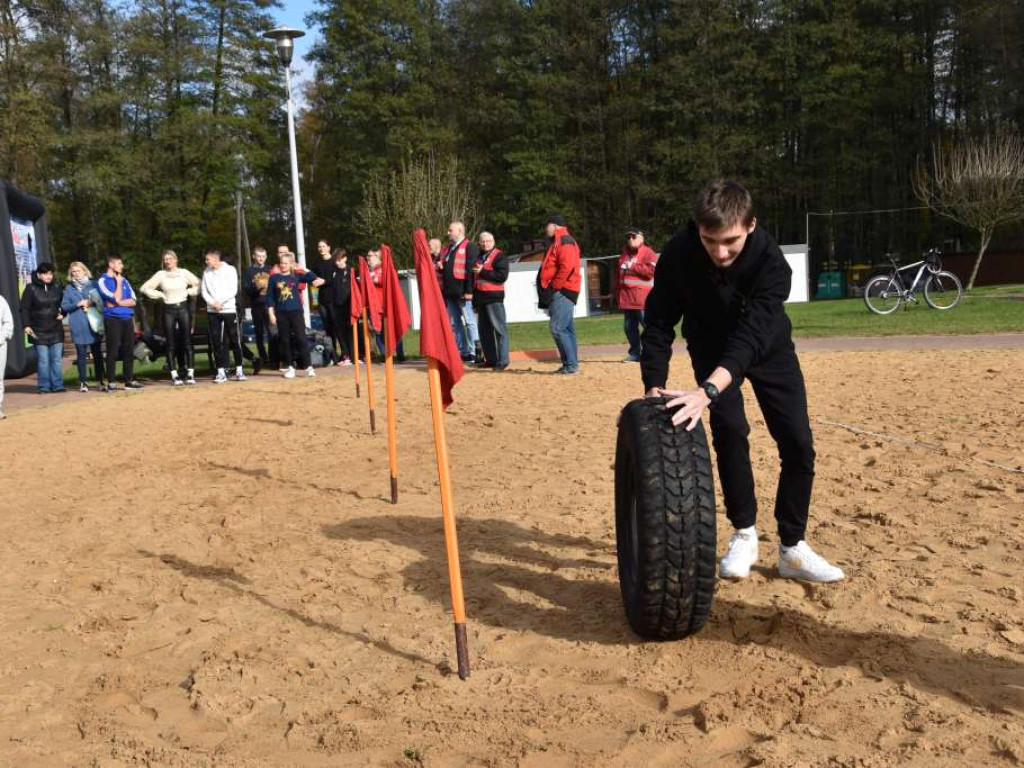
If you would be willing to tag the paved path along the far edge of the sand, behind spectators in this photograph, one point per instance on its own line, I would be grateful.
(22, 393)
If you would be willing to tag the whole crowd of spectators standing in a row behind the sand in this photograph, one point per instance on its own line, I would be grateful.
(102, 311)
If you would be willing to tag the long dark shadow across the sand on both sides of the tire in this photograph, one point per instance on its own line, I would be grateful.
(514, 581)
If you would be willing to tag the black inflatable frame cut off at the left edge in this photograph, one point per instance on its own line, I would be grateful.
(21, 361)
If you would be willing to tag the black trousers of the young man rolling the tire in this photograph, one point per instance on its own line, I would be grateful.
(779, 387)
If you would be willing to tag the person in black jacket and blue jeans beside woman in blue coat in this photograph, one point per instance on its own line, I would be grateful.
(41, 319)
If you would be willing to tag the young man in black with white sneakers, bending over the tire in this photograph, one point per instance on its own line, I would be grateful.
(728, 279)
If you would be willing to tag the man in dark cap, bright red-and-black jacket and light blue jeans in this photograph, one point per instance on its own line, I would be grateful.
(559, 289)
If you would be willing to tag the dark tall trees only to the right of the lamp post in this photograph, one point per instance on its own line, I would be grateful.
(618, 111)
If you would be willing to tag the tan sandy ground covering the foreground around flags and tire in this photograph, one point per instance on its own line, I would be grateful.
(216, 578)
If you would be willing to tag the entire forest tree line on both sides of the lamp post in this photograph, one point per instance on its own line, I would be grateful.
(138, 123)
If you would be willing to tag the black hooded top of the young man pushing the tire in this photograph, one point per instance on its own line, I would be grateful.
(733, 318)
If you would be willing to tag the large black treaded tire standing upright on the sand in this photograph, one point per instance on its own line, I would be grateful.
(665, 523)
